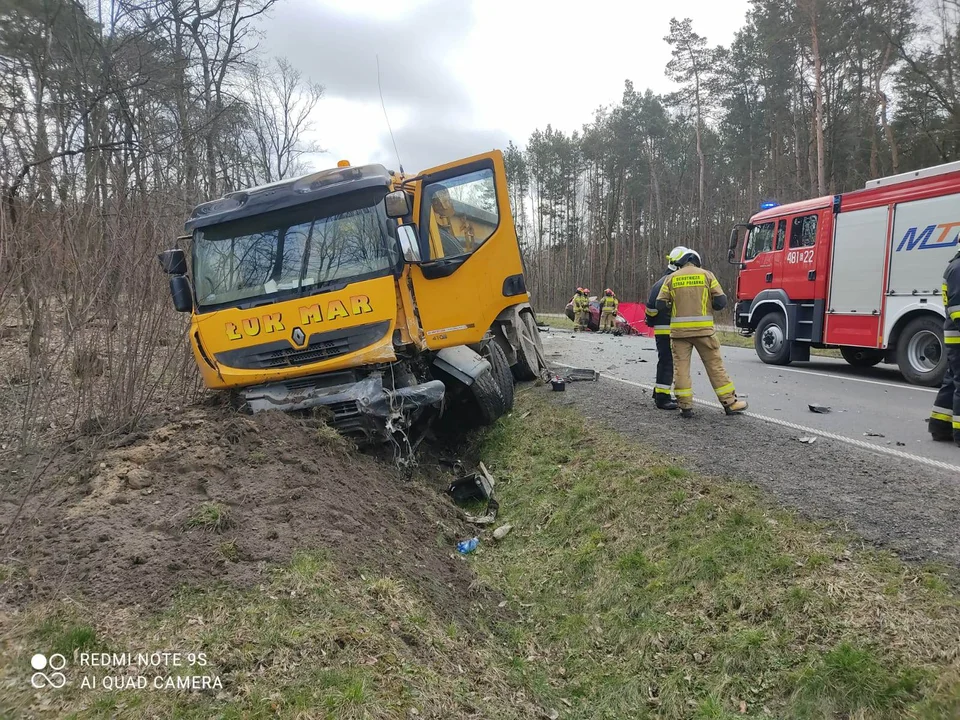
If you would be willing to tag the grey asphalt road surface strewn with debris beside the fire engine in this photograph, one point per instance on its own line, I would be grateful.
(870, 408)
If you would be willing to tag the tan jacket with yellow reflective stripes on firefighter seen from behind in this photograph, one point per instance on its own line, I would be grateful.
(692, 294)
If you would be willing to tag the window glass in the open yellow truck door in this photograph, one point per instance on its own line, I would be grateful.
(463, 213)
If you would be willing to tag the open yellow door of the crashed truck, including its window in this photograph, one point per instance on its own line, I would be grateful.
(471, 265)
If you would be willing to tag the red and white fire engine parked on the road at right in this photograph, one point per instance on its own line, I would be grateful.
(859, 271)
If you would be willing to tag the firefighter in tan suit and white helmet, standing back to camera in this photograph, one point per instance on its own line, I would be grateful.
(690, 295)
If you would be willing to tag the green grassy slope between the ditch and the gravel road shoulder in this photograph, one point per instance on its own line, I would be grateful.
(648, 591)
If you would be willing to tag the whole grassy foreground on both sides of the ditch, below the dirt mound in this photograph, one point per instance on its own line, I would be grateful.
(632, 589)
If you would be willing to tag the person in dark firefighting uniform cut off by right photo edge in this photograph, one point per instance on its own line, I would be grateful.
(944, 422)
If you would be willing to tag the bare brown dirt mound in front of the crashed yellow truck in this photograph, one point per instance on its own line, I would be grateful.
(216, 496)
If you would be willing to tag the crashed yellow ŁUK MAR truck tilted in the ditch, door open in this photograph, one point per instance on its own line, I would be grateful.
(388, 300)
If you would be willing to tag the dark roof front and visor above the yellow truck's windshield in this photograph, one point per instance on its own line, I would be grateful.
(288, 193)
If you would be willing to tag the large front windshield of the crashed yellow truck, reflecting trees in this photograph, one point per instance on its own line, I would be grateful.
(293, 251)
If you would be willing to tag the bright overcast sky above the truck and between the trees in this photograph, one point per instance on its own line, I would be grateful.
(466, 76)
